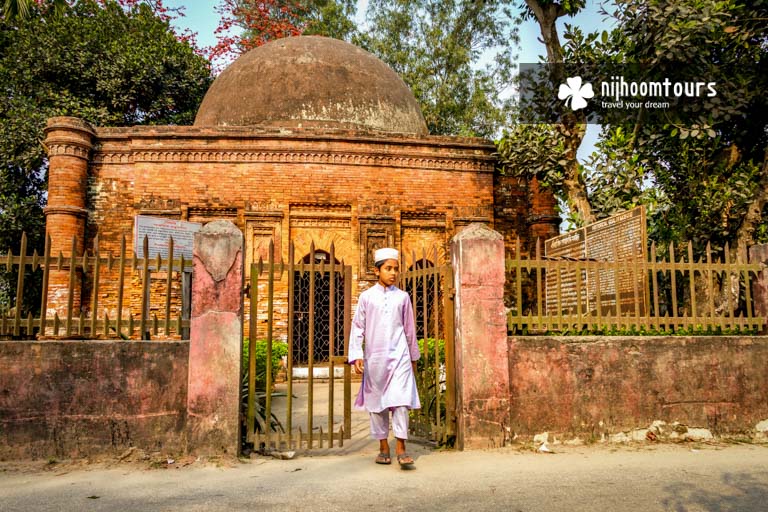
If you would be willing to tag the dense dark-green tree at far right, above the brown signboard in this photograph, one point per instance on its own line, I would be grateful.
(708, 158)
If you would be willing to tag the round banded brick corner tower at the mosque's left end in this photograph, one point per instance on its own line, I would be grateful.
(69, 142)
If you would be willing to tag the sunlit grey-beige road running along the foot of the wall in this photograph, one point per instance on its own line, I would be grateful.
(594, 478)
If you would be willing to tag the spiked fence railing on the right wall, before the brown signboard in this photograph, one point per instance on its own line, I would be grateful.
(640, 295)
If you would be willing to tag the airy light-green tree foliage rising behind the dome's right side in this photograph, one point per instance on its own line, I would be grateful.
(436, 47)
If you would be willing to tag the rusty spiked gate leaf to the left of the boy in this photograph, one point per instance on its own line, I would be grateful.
(315, 295)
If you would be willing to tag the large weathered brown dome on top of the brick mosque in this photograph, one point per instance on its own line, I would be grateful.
(315, 82)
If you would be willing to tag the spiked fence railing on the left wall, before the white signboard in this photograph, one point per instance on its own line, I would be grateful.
(96, 294)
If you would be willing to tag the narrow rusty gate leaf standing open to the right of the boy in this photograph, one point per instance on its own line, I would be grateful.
(432, 296)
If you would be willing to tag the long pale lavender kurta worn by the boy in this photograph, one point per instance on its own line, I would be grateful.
(384, 319)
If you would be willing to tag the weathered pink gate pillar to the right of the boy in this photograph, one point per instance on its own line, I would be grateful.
(482, 373)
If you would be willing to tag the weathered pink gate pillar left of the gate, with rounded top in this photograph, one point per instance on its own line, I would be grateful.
(216, 336)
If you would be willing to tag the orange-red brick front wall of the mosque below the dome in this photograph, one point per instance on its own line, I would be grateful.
(357, 190)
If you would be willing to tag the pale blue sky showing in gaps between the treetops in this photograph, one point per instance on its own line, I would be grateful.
(200, 16)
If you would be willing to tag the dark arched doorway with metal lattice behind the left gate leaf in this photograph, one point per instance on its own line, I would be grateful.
(318, 309)
